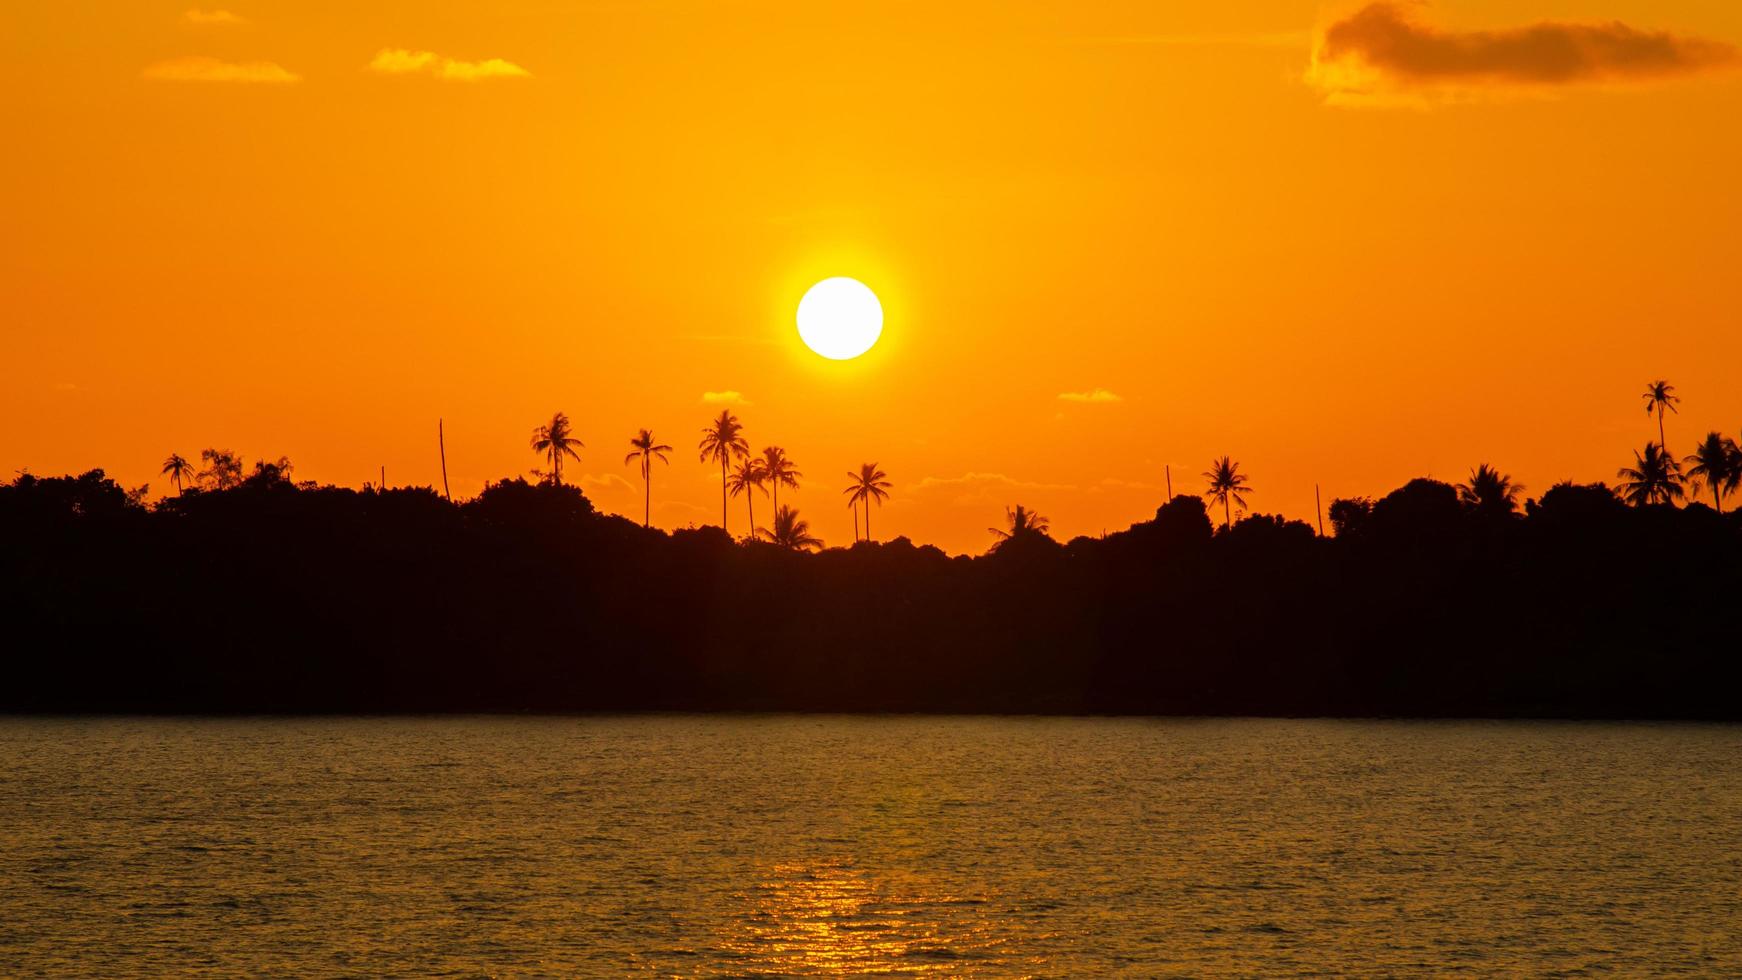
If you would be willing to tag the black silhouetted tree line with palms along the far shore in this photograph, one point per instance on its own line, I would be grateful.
(253, 593)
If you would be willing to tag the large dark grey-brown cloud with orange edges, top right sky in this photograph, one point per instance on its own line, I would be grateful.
(1382, 51)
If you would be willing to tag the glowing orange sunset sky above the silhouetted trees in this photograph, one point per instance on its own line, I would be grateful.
(281, 252)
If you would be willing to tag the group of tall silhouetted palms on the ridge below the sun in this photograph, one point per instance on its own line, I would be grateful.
(741, 474)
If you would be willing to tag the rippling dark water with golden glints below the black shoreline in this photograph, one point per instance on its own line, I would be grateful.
(705, 847)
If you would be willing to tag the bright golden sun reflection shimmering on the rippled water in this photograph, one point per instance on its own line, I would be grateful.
(832, 918)
